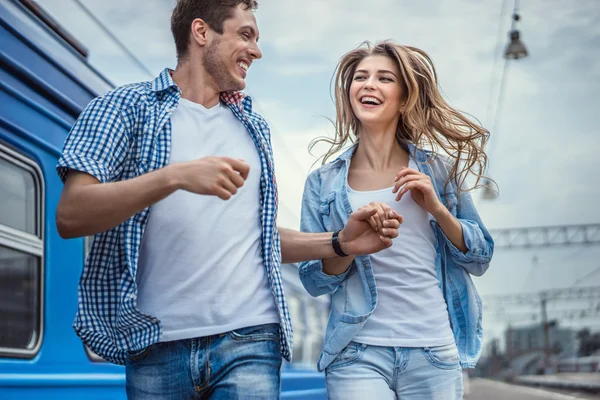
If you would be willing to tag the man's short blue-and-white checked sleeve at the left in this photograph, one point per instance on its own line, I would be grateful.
(97, 143)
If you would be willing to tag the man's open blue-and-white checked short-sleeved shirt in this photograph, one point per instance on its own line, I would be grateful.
(124, 134)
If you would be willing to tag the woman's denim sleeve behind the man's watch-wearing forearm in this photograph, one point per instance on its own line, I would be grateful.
(315, 281)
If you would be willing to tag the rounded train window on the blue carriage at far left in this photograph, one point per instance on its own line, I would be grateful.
(21, 255)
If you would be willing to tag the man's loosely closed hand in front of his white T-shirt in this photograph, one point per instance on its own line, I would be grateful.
(217, 176)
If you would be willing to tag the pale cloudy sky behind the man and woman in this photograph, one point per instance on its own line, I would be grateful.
(543, 149)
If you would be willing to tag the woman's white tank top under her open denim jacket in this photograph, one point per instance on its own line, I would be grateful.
(410, 311)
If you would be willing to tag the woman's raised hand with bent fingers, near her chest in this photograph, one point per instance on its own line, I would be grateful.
(420, 187)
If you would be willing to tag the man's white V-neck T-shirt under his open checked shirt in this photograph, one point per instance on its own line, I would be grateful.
(200, 270)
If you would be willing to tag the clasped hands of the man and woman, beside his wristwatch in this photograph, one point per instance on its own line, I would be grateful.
(370, 229)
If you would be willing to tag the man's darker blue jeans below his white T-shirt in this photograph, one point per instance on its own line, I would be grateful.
(241, 364)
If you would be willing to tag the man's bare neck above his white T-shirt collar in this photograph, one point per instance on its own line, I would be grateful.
(195, 83)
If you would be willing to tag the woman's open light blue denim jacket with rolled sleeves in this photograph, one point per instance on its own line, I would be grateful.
(325, 208)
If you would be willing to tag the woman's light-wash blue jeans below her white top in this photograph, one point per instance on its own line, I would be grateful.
(374, 372)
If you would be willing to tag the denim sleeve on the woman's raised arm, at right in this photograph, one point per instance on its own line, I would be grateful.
(479, 242)
